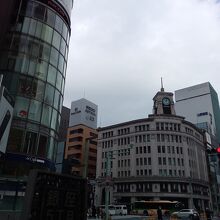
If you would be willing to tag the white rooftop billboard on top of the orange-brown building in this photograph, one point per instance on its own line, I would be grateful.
(83, 112)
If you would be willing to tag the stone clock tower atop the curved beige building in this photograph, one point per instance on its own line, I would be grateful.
(163, 103)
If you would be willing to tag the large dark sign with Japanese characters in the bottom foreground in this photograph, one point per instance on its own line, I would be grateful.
(54, 196)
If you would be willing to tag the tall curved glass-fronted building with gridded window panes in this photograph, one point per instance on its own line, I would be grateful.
(33, 62)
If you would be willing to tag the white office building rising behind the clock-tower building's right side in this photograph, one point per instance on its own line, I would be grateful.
(199, 105)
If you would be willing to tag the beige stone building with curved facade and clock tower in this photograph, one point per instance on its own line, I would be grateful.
(167, 160)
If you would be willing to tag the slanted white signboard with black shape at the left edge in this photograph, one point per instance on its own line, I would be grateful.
(6, 112)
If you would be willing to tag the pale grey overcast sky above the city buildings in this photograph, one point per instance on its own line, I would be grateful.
(119, 50)
